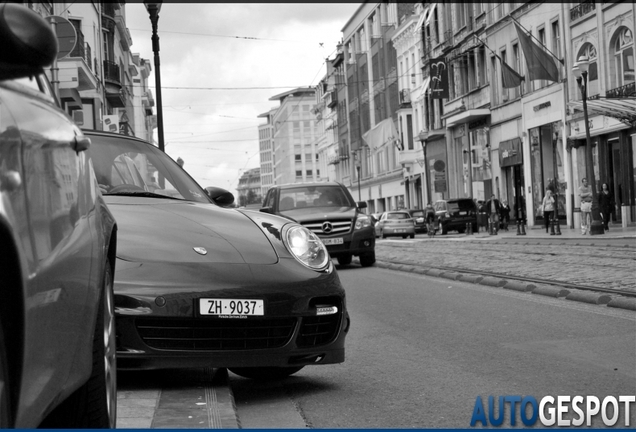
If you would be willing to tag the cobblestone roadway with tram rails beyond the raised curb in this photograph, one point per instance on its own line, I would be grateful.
(570, 261)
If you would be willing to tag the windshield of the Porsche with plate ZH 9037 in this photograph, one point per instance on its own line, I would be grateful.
(125, 166)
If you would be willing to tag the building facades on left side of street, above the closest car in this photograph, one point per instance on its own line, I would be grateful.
(98, 80)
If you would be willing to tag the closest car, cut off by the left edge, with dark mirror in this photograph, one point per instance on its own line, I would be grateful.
(57, 243)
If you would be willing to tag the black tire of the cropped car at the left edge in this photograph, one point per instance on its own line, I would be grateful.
(94, 404)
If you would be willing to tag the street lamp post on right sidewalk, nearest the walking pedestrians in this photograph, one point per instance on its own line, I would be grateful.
(580, 70)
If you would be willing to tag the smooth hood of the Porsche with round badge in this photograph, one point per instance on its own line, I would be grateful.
(160, 230)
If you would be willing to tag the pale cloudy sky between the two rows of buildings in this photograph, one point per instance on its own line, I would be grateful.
(220, 64)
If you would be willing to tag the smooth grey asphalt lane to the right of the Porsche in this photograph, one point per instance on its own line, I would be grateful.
(422, 349)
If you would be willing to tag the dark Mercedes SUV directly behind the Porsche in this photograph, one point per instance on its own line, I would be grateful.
(329, 211)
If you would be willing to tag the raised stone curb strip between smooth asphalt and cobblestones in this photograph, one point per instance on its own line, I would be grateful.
(545, 290)
